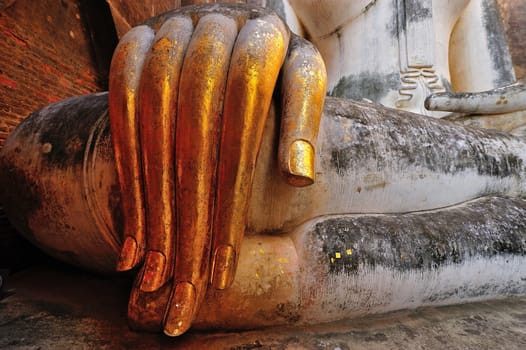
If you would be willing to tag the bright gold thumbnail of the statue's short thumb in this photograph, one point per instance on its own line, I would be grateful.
(301, 164)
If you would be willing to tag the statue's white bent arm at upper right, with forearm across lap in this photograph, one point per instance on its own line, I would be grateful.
(480, 64)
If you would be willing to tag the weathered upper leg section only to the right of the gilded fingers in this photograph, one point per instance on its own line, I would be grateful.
(378, 160)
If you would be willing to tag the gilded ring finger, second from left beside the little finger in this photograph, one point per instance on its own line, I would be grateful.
(158, 101)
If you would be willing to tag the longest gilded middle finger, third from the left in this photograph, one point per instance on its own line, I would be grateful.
(202, 85)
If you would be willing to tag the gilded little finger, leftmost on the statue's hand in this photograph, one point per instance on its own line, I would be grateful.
(126, 66)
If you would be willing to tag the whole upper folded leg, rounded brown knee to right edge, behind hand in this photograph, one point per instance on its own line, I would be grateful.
(60, 179)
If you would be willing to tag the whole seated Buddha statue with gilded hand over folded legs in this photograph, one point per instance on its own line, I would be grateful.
(369, 210)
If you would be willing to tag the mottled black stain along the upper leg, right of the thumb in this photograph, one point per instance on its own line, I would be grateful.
(383, 139)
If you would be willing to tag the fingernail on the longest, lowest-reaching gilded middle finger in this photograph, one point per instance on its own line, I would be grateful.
(181, 310)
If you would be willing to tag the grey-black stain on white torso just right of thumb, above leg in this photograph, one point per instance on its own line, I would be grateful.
(369, 85)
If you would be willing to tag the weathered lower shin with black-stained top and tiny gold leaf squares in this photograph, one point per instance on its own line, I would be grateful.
(365, 264)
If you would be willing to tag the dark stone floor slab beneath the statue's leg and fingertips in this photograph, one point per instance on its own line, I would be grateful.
(56, 307)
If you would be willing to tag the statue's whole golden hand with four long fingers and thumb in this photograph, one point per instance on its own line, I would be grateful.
(189, 95)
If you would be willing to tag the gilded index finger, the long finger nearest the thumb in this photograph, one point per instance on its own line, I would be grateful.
(258, 55)
